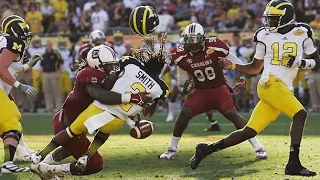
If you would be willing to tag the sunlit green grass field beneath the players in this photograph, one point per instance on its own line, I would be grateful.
(128, 158)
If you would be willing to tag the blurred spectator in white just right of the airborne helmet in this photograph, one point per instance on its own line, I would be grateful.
(166, 21)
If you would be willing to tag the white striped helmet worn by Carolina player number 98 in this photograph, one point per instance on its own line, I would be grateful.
(194, 37)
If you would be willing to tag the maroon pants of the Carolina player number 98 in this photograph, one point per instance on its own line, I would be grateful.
(203, 100)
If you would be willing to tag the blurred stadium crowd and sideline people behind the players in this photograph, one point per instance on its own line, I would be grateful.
(66, 21)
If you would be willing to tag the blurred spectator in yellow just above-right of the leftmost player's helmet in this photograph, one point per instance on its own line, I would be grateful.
(34, 19)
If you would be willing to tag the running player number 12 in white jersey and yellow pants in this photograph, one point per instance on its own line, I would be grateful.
(280, 47)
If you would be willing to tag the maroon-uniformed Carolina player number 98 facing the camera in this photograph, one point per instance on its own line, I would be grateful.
(198, 57)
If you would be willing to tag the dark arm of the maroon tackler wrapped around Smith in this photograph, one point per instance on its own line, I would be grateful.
(105, 97)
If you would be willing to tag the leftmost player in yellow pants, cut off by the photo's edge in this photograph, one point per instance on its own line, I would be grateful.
(16, 35)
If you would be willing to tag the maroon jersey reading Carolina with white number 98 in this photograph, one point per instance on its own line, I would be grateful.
(203, 67)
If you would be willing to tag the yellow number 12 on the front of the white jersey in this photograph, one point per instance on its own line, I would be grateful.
(291, 46)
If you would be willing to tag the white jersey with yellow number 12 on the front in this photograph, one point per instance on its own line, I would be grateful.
(273, 48)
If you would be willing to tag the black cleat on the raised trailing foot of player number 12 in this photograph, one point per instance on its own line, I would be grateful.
(201, 152)
